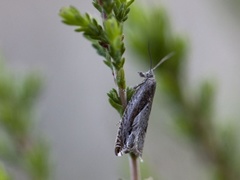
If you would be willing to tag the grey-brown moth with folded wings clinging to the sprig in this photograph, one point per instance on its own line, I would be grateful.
(133, 125)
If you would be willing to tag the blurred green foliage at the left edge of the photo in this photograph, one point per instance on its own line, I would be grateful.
(19, 146)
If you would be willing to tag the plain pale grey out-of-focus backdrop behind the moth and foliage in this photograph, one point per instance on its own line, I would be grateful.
(74, 114)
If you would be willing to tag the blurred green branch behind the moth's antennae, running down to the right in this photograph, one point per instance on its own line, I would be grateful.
(191, 111)
